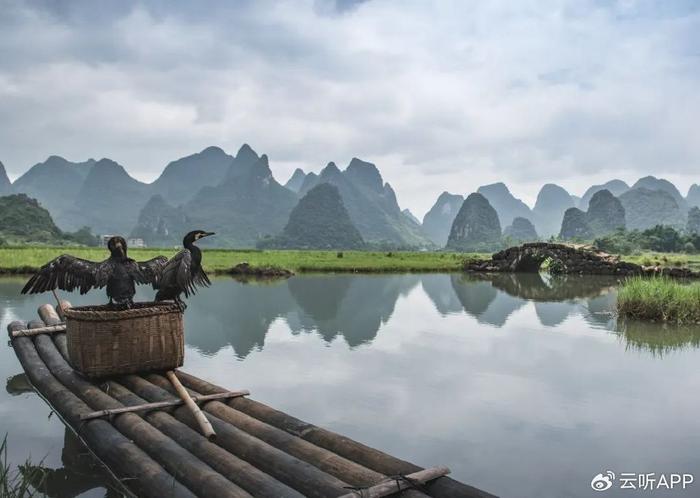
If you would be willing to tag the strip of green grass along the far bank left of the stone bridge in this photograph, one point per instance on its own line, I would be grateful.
(29, 259)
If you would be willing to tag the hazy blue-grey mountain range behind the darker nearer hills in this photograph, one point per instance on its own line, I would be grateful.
(211, 188)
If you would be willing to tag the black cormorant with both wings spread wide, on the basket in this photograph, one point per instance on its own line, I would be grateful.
(118, 273)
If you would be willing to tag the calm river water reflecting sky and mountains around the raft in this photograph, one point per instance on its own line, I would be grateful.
(523, 385)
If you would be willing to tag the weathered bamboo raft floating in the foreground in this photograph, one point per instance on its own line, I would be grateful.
(149, 440)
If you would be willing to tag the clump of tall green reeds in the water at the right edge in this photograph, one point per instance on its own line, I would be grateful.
(659, 299)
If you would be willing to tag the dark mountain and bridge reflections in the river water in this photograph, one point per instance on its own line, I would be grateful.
(239, 314)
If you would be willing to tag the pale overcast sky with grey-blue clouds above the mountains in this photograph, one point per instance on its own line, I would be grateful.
(443, 95)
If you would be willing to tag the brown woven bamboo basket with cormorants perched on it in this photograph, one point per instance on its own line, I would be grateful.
(104, 342)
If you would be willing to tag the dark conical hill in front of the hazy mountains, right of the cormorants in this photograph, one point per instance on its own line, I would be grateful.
(319, 221)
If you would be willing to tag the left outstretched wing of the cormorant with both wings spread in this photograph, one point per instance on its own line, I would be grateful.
(68, 273)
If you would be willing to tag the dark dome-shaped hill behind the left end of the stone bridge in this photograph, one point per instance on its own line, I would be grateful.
(476, 227)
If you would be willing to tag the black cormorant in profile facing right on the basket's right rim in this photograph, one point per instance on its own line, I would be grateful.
(183, 273)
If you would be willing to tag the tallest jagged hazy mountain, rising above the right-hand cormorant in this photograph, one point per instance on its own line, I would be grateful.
(243, 209)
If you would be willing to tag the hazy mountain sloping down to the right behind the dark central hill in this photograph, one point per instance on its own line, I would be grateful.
(370, 202)
